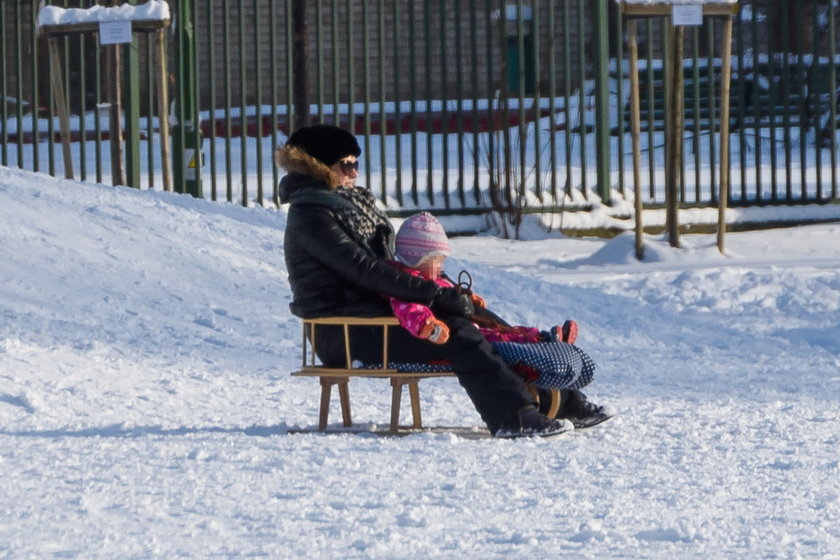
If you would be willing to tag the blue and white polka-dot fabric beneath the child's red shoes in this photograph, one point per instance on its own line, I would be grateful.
(549, 365)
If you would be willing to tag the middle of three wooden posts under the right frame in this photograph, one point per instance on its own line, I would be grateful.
(674, 135)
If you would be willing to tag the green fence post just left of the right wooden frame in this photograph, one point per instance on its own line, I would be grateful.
(602, 107)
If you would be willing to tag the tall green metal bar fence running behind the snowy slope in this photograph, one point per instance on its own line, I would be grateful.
(461, 105)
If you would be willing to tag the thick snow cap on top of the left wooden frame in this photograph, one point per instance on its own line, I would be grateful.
(152, 14)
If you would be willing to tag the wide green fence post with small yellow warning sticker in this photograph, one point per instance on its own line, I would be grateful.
(186, 135)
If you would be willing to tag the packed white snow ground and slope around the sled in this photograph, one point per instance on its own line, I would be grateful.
(146, 409)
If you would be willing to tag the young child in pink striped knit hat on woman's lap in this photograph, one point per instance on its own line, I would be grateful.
(547, 359)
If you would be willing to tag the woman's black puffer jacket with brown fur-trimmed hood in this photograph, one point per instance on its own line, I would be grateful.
(331, 271)
